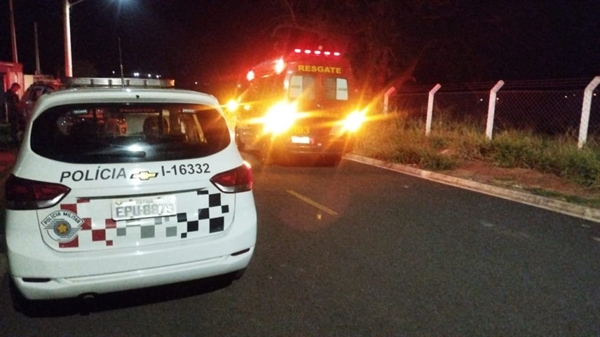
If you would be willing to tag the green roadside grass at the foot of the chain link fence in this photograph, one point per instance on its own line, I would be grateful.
(401, 141)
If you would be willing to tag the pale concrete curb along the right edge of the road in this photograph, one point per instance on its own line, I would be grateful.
(558, 206)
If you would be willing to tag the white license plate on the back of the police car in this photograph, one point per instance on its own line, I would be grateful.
(145, 207)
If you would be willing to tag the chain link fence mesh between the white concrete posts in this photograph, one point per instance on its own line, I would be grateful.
(543, 107)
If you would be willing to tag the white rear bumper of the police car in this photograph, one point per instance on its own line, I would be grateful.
(40, 272)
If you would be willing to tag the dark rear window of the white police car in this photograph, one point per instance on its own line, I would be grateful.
(123, 133)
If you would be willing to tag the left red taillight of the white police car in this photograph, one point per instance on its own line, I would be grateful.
(24, 194)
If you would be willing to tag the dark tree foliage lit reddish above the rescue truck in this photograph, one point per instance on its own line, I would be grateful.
(375, 35)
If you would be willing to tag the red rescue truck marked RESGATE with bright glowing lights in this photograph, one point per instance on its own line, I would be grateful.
(302, 104)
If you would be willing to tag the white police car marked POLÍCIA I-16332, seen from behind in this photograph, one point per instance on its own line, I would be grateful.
(119, 187)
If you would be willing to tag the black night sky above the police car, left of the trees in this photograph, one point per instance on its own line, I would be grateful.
(180, 39)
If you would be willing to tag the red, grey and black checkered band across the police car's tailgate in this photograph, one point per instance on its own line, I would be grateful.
(211, 212)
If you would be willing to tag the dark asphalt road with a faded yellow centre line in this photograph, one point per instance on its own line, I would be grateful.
(362, 251)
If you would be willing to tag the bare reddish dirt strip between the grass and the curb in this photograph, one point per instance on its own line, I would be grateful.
(525, 180)
